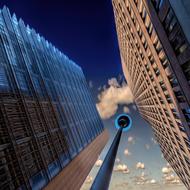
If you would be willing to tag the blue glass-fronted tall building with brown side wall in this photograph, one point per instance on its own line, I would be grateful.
(50, 131)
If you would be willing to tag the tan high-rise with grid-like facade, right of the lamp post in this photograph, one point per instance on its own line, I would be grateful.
(154, 45)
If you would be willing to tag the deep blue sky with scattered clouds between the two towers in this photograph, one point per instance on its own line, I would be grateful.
(85, 31)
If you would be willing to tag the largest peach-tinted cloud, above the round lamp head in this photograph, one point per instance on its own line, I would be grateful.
(111, 97)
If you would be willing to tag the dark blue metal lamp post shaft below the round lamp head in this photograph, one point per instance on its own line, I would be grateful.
(103, 177)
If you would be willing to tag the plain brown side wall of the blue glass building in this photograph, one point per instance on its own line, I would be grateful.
(74, 174)
